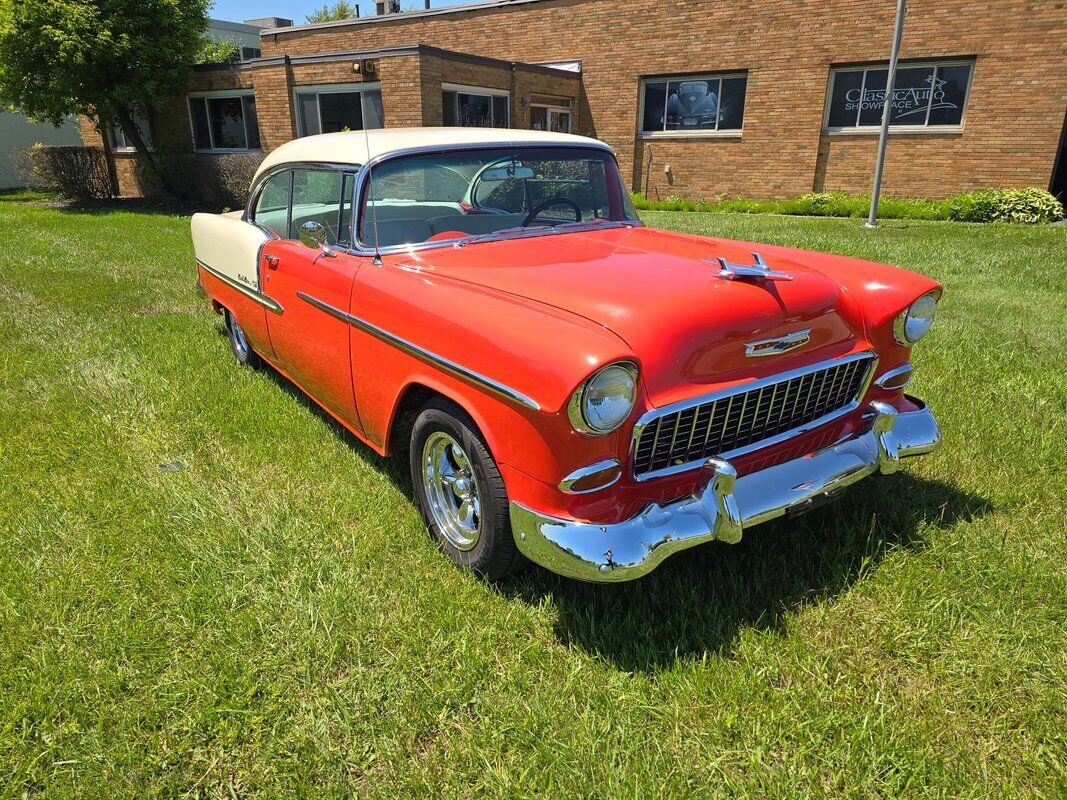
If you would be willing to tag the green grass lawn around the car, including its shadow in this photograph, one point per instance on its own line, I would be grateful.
(208, 589)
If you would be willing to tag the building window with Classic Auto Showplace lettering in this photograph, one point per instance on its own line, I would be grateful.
(929, 95)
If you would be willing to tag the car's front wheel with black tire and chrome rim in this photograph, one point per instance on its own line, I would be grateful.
(461, 493)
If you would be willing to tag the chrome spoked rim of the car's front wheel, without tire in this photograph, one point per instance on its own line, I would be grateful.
(452, 491)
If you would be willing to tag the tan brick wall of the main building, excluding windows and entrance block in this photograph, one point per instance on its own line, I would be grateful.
(1012, 127)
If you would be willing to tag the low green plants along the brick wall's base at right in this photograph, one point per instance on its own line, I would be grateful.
(989, 205)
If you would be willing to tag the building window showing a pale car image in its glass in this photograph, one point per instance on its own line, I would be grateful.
(694, 105)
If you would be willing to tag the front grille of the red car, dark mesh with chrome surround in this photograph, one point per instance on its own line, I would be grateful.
(744, 419)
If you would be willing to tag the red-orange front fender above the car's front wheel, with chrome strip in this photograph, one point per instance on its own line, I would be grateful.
(539, 354)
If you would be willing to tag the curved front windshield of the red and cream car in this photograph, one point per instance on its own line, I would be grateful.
(449, 197)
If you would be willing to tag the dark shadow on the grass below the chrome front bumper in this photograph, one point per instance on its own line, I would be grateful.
(703, 601)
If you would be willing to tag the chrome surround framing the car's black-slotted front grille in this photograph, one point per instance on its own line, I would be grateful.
(649, 417)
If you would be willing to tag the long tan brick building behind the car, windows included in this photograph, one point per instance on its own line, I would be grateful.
(758, 99)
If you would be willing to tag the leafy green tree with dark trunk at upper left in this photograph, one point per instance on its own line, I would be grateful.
(107, 59)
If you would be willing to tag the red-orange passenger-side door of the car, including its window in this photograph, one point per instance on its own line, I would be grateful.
(310, 335)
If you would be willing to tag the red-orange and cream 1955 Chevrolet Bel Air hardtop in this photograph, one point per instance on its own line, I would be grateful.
(570, 386)
